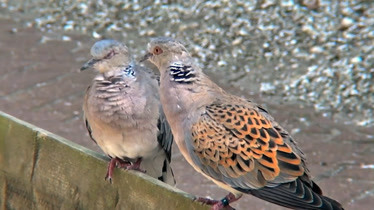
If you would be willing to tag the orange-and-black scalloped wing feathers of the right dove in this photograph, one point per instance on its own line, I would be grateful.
(238, 141)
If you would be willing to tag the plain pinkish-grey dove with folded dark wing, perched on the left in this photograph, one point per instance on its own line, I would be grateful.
(123, 113)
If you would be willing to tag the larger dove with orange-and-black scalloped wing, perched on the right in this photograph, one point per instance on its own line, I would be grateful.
(232, 141)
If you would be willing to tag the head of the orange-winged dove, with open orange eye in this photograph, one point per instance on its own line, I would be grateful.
(163, 50)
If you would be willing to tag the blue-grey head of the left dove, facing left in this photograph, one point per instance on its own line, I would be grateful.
(108, 55)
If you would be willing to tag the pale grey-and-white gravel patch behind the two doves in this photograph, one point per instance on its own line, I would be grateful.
(315, 52)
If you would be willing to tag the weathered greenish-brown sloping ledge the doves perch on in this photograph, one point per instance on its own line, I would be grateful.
(40, 170)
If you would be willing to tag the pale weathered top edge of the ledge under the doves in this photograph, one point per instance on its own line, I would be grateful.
(41, 133)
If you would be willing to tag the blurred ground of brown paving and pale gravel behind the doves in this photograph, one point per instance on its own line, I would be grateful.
(309, 62)
